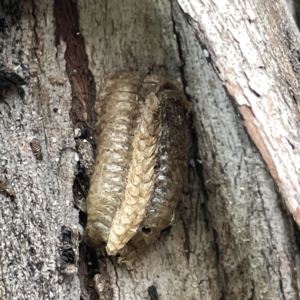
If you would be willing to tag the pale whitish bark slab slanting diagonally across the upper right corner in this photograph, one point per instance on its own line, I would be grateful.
(265, 84)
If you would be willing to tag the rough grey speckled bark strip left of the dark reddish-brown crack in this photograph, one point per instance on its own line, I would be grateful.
(31, 222)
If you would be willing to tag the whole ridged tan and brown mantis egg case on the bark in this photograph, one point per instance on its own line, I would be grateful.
(140, 168)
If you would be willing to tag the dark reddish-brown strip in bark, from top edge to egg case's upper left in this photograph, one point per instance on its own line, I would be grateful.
(81, 78)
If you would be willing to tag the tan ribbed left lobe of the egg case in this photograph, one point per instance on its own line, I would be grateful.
(118, 109)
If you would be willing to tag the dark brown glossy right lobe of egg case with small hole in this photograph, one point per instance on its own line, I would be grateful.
(171, 168)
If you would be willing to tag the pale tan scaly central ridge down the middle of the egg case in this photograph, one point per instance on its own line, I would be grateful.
(140, 179)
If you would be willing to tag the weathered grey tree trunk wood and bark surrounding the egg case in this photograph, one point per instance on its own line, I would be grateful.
(232, 237)
